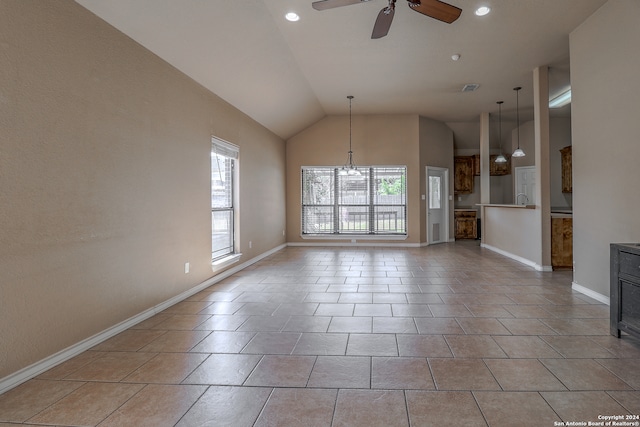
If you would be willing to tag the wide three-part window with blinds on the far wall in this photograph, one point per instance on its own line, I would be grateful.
(373, 202)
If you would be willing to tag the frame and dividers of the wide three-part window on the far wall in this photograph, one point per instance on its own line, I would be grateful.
(334, 206)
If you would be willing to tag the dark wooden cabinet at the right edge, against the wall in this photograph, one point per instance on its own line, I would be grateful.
(625, 289)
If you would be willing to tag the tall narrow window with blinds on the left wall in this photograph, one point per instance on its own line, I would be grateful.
(223, 163)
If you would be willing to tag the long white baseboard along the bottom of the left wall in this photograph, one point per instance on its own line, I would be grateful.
(47, 363)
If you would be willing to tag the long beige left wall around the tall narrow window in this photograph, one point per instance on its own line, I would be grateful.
(104, 179)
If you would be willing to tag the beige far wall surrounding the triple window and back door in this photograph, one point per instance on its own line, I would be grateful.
(377, 140)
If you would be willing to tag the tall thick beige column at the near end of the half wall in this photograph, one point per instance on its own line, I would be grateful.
(541, 129)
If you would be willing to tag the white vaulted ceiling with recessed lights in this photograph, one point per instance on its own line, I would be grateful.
(287, 76)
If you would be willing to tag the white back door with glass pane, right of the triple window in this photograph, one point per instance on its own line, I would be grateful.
(437, 205)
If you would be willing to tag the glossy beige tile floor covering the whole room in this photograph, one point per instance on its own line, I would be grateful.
(444, 335)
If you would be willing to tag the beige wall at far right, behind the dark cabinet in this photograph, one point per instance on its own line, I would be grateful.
(606, 138)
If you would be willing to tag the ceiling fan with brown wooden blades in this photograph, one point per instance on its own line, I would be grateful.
(432, 8)
